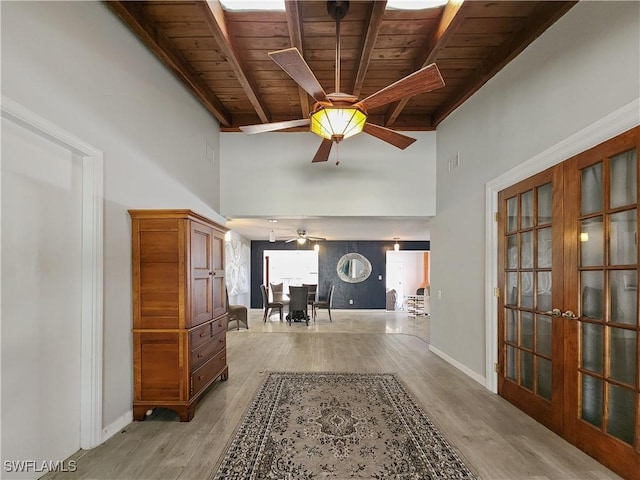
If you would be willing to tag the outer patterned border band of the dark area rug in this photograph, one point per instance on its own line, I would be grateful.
(268, 374)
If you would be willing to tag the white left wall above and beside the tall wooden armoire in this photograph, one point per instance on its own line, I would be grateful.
(76, 65)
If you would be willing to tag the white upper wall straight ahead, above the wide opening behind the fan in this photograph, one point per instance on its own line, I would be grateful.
(373, 178)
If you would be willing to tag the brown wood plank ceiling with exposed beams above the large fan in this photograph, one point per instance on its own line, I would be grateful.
(222, 58)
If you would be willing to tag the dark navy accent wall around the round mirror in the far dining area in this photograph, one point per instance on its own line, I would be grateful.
(369, 294)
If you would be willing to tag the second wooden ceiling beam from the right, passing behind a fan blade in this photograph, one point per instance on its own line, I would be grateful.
(452, 16)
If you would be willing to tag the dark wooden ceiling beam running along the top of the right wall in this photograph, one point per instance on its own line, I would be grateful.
(545, 15)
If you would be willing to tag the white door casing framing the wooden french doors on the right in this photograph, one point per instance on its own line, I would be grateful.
(615, 123)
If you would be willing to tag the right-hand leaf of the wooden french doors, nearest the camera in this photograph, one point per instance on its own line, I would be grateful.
(603, 381)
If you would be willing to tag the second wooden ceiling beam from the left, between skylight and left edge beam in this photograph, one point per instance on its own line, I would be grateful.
(214, 17)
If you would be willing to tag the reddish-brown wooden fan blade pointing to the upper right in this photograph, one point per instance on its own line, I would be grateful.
(424, 80)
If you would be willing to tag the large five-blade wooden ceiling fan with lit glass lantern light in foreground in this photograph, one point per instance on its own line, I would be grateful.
(336, 116)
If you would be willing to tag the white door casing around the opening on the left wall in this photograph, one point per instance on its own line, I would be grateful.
(91, 357)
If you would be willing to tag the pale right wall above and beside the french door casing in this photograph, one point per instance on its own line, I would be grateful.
(583, 68)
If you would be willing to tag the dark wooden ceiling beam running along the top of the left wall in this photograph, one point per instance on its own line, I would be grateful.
(135, 17)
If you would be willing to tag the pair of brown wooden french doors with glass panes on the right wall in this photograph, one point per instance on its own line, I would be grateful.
(569, 331)
